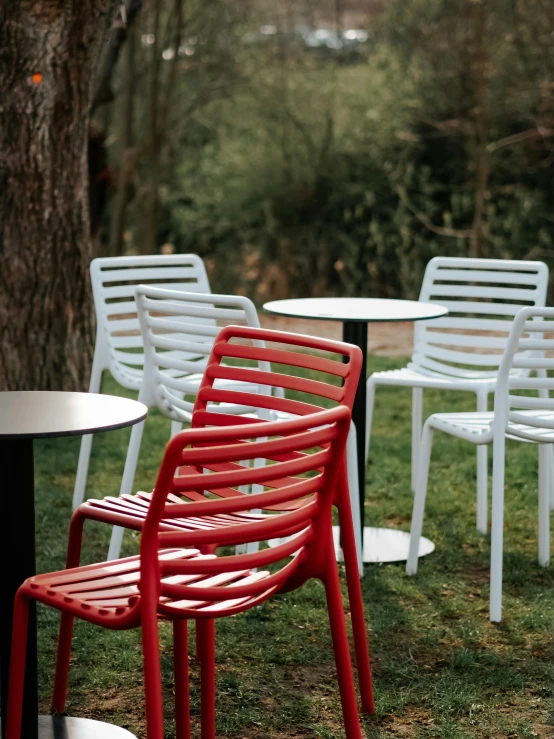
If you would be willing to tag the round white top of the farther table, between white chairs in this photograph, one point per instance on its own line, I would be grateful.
(364, 310)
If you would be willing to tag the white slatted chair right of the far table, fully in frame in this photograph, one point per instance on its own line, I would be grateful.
(462, 351)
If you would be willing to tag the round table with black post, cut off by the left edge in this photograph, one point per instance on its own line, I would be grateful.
(25, 416)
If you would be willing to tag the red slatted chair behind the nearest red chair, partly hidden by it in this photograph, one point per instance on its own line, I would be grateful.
(332, 381)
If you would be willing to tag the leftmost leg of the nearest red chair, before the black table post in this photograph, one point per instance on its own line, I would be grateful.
(17, 667)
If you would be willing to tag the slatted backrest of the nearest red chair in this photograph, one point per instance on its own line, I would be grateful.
(302, 458)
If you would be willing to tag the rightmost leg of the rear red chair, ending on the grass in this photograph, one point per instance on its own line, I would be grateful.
(355, 598)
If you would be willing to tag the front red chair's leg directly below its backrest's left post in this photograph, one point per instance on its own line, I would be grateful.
(152, 676)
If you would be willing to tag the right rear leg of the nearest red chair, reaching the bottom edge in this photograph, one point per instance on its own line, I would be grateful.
(342, 654)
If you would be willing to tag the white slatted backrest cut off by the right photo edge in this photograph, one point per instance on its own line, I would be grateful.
(529, 348)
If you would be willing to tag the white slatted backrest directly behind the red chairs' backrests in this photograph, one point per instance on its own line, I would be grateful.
(179, 330)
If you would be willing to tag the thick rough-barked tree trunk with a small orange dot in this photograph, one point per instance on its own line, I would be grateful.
(48, 55)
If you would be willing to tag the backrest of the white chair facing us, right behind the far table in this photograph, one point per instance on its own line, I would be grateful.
(482, 297)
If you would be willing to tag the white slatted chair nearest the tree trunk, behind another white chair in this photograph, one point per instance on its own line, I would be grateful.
(118, 346)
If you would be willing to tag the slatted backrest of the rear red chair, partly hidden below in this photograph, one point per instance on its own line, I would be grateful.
(332, 380)
